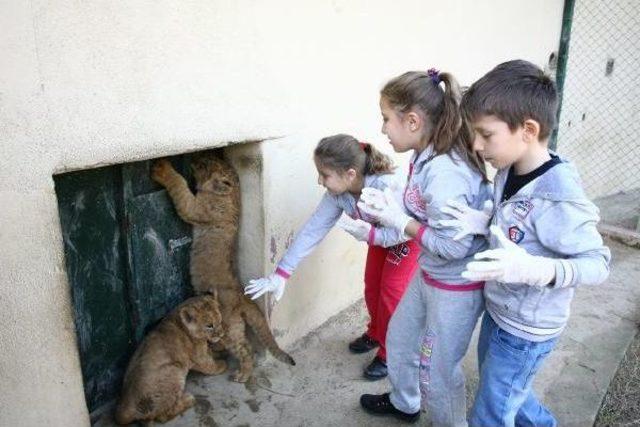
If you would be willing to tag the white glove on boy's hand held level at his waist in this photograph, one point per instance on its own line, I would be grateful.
(510, 264)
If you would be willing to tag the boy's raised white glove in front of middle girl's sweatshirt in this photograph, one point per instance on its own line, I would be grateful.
(467, 220)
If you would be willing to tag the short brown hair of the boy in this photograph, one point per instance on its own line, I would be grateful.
(514, 91)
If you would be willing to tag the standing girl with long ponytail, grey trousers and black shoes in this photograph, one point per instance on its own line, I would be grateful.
(430, 331)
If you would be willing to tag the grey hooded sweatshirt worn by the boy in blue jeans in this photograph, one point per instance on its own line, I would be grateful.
(551, 217)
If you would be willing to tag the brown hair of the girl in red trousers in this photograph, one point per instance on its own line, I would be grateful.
(343, 152)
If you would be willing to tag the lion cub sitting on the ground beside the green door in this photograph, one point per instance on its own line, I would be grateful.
(153, 386)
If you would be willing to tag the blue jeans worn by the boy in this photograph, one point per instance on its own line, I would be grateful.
(507, 366)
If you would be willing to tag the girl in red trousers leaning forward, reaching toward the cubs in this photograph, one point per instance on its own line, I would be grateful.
(345, 166)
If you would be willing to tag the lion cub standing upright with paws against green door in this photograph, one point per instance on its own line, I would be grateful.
(214, 212)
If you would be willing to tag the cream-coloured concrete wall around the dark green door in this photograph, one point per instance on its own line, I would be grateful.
(92, 83)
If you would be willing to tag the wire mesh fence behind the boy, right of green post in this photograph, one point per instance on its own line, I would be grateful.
(599, 125)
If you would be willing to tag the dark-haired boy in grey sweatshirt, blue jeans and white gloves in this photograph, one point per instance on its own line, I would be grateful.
(543, 238)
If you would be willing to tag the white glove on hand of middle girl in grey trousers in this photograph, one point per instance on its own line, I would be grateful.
(383, 207)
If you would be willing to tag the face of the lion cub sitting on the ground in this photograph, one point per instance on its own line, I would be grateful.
(202, 319)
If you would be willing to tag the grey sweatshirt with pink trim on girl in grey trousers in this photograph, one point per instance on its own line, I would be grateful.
(433, 180)
